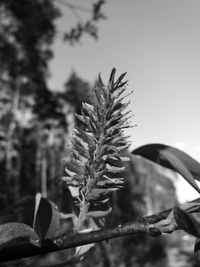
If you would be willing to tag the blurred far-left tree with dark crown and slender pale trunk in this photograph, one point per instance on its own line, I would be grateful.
(27, 30)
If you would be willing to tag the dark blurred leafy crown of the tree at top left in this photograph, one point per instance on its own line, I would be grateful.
(27, 30)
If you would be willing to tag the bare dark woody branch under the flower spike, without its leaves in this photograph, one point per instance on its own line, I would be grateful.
(26, 249)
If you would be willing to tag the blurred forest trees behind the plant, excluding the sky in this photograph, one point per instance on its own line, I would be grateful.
(35, 132)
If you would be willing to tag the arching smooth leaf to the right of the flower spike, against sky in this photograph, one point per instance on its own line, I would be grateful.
(172, 158)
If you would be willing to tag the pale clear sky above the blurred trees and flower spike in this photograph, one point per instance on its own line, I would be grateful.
(157, 42)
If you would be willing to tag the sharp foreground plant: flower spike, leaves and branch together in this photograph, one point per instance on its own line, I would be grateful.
(95, 169)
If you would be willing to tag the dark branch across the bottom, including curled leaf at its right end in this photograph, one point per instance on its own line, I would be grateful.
(166, 221)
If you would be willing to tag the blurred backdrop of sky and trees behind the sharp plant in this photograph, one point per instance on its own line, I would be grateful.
(51, 52)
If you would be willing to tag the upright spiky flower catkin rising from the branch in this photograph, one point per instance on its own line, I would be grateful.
(96, 164)
